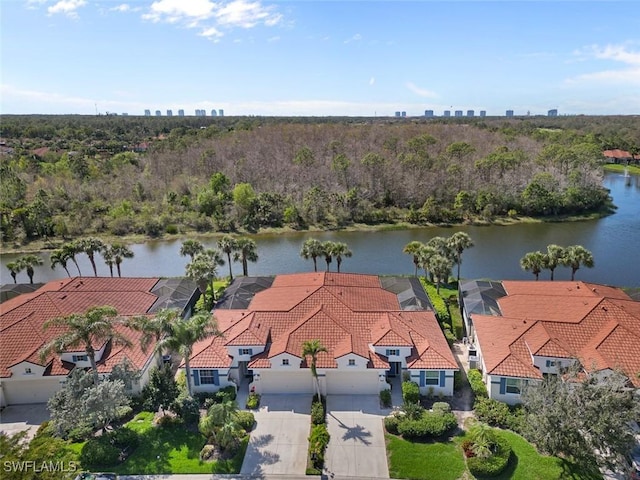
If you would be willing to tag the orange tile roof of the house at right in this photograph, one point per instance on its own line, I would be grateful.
(596, 324)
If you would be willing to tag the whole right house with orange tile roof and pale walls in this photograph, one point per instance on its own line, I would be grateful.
(525, 330)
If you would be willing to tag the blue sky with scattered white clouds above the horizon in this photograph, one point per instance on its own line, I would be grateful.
(263, 57)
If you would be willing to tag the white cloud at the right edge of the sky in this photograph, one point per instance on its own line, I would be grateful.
(627, 73)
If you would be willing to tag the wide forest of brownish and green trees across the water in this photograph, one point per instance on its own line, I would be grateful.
(62, 177)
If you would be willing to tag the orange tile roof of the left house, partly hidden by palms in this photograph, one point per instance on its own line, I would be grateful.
(22, 317)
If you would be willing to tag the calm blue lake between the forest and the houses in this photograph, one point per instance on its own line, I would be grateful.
(614, 241)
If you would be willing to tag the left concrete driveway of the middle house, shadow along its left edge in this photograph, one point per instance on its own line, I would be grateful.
(279, 444)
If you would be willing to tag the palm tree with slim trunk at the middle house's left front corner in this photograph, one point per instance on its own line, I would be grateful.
(185, 334)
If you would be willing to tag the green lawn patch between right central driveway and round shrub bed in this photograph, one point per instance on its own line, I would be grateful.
(429, 461)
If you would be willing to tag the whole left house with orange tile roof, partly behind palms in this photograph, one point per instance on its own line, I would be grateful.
(25, 379)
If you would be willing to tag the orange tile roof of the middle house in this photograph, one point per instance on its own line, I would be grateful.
(348, 313)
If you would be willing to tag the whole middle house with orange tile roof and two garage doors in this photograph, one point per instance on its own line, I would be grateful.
(373, 327)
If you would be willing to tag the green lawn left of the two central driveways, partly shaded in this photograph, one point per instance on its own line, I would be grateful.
(171, 449)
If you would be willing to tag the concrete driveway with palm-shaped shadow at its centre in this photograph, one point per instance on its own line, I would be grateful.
(357, 447)
